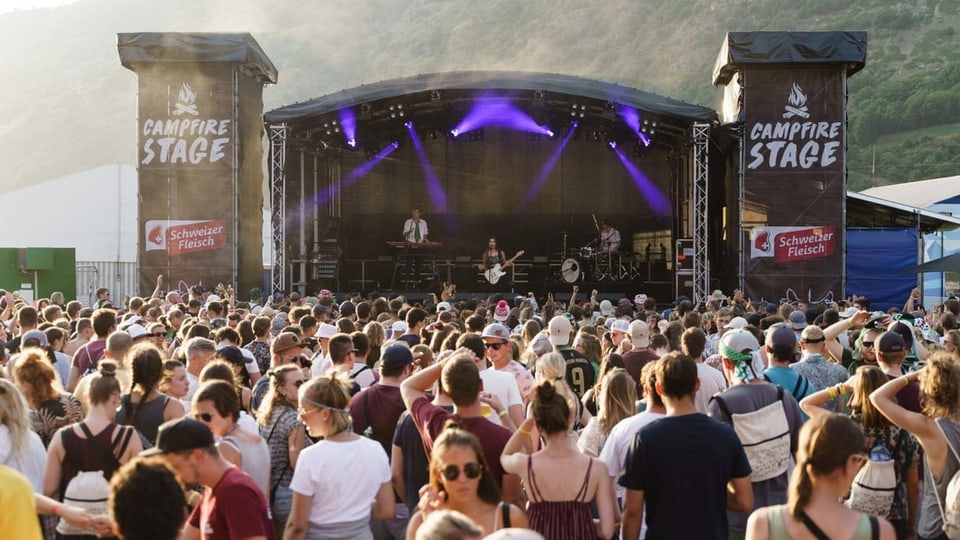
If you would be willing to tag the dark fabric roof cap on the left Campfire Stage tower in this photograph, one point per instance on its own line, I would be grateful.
(201, 48)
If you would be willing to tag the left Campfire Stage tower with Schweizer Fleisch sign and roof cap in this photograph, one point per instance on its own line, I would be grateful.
(199, 136)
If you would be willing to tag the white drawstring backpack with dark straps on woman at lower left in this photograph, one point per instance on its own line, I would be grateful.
(90, 489)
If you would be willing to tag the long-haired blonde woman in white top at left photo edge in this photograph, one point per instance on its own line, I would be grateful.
(20, 447)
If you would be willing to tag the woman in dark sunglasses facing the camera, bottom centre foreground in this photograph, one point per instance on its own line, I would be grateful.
(461, 481)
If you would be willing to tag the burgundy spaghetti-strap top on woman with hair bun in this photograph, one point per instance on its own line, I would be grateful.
(560, 520)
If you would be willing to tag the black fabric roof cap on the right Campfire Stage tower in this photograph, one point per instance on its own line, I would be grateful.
(773, 48)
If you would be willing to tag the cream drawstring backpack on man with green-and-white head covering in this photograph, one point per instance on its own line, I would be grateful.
(765, 436)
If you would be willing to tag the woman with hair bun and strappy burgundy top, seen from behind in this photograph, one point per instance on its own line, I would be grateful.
(561, 481)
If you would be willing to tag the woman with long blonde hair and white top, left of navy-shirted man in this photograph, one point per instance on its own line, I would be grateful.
(618, 396)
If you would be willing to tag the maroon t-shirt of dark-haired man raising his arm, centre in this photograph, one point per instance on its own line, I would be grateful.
(431, 419)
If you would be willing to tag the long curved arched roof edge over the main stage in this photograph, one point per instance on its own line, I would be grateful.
(475, 81)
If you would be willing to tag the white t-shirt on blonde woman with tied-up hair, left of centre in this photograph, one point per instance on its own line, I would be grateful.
(343, 478)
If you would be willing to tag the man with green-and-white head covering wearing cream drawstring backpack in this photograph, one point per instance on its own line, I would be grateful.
(750, 401)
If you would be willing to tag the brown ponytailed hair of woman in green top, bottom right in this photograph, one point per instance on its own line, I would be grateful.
(826, 443)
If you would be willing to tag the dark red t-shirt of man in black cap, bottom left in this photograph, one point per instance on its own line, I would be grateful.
(234, 508)
